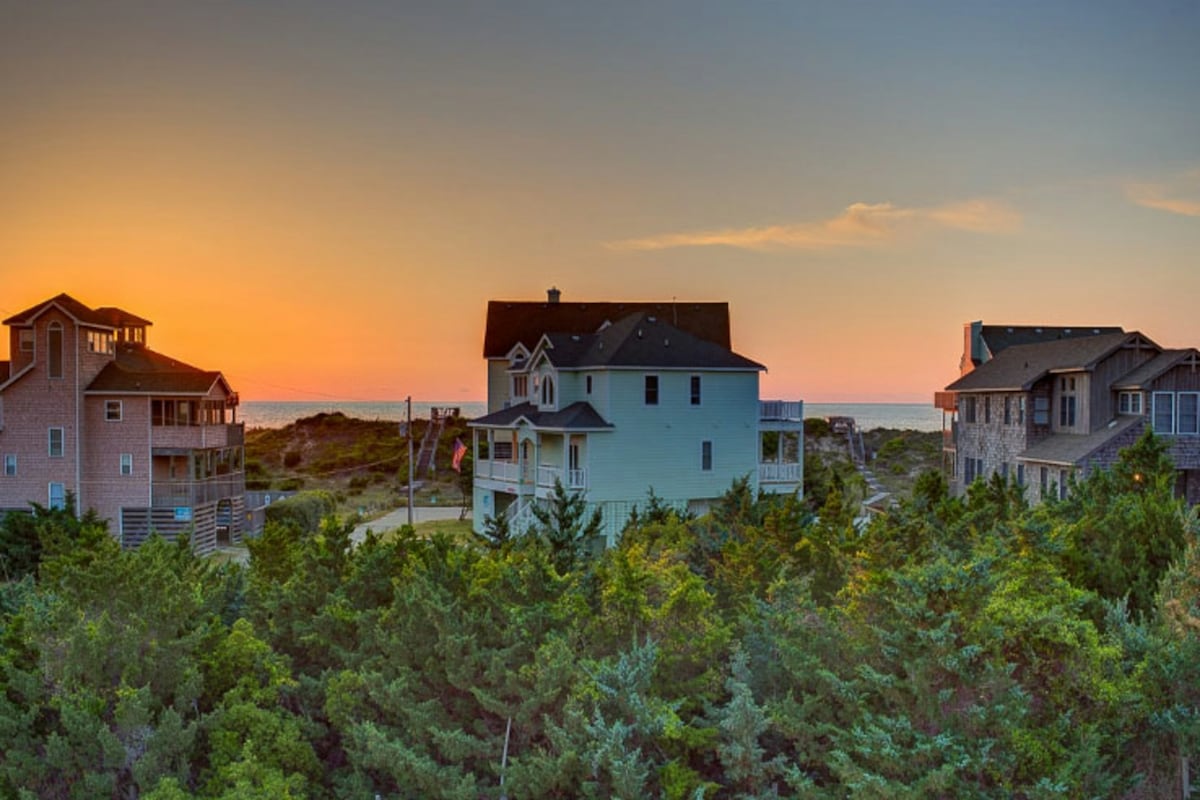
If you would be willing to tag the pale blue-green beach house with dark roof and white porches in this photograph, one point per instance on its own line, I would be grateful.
(615, 400)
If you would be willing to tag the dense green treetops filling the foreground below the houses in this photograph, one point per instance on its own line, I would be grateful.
(957, 648)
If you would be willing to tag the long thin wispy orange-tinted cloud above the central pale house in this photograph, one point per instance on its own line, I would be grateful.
(862, 225)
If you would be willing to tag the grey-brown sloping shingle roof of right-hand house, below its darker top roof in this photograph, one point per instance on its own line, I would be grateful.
(1018, 368)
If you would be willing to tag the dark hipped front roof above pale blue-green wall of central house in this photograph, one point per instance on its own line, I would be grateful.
(645, 341)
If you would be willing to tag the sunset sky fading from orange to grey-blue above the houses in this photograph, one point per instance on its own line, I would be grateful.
(320, 199)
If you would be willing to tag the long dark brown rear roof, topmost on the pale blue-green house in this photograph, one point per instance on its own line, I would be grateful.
(512, 322)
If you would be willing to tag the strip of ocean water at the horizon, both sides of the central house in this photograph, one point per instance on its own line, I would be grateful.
(271, 414)
